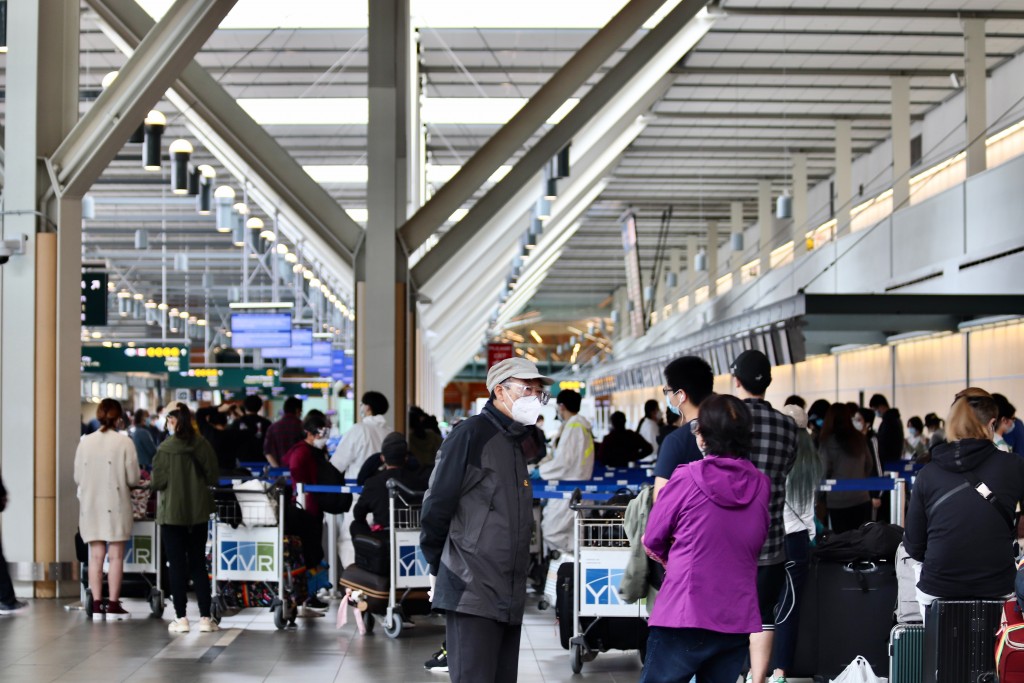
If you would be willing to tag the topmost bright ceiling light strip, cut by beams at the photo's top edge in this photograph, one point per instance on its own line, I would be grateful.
(268, 15)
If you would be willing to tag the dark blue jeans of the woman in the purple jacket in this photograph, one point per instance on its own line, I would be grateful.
(674, 656)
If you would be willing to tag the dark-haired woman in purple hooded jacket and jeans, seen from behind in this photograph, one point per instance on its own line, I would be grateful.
(707, 529)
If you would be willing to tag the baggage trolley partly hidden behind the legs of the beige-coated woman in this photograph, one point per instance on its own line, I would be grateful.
(143, 568)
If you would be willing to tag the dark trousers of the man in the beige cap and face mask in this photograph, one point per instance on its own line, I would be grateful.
(482, 651)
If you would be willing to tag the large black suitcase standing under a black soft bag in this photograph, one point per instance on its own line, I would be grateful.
(847, 612)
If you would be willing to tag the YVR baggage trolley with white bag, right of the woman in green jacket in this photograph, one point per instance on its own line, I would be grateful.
(252, 550)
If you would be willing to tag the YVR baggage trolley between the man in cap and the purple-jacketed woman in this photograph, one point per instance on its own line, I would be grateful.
(600, 616)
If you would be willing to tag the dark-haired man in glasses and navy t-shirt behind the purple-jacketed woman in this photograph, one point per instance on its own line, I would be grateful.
(689, 380)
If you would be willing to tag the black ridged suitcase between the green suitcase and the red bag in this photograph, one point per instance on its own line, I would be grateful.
(960, 641)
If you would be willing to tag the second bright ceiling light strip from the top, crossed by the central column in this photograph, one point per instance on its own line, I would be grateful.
(356, 111)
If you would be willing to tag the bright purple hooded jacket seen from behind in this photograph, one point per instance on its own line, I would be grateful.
(710, 523)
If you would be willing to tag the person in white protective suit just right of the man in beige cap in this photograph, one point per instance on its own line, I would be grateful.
(574, 460)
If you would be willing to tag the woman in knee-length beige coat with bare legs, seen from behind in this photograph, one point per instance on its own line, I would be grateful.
(106, 469)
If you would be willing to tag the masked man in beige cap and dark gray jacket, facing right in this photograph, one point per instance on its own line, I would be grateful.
(477, 522)
